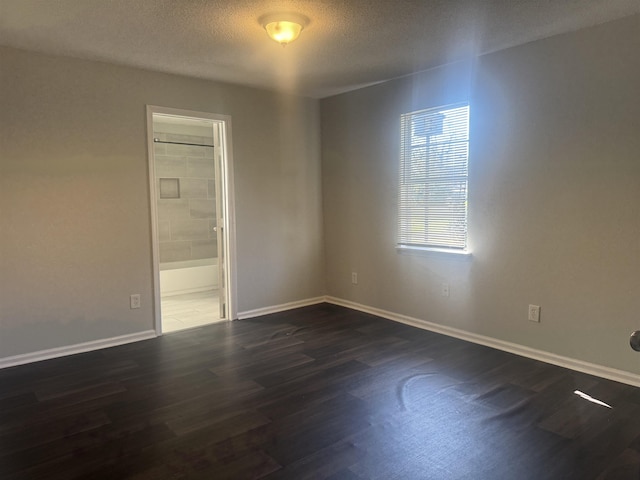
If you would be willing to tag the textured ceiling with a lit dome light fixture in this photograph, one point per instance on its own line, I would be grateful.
(348, 43)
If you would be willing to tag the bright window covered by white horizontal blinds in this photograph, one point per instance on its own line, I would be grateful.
(434, 161)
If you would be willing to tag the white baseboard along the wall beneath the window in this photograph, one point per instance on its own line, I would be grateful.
(566, 362)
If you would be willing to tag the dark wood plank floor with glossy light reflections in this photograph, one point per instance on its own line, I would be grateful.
(318, 392)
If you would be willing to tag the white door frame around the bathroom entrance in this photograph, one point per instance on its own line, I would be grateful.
(223, 124)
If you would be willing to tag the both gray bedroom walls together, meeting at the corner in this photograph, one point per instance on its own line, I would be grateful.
(554, 199)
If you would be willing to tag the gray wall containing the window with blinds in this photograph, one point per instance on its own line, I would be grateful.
(554, 205)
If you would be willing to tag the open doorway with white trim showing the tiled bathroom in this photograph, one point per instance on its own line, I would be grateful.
(191, 197)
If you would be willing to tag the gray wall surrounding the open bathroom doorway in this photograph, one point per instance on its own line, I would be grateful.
(74, 199)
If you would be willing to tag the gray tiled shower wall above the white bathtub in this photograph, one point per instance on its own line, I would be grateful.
(185, 224)
